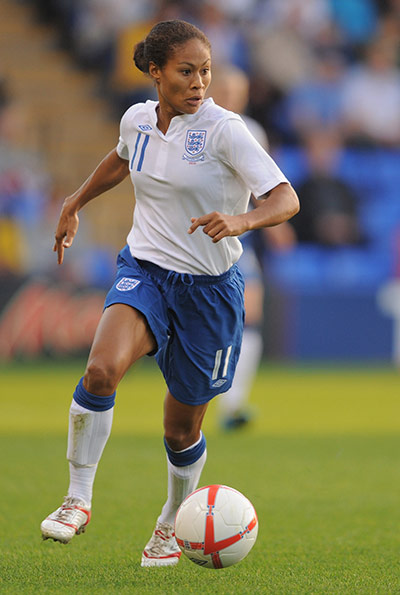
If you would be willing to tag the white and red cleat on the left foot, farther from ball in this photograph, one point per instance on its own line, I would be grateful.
(68, 520)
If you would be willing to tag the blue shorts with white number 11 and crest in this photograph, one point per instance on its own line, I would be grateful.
(197, 321)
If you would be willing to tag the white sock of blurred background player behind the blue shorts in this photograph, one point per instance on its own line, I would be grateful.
(237, 396)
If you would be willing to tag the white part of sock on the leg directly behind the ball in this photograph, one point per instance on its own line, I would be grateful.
(182, 481)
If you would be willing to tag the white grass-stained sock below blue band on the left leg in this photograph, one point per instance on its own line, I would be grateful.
(87, 436)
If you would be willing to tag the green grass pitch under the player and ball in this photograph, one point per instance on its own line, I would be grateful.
(320, 464)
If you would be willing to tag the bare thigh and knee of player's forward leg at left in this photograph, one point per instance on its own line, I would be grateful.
(122, 337)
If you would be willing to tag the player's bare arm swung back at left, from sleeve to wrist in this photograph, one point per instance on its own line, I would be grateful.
(109, 173)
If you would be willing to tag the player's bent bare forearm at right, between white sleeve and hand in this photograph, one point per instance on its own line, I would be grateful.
(274, 208)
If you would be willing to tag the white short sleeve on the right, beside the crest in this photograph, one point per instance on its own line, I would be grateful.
(238, 149)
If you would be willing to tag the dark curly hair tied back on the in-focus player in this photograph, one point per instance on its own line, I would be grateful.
(162, 41)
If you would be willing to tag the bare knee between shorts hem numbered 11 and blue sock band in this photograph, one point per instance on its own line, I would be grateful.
(182, 422)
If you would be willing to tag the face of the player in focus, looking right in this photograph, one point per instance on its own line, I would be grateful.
(183, 81)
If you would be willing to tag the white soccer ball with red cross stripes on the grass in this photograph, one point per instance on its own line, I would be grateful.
(216, 526)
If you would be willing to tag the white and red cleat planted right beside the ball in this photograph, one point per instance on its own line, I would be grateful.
(162, 549)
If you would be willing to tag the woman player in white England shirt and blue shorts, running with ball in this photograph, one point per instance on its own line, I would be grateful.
(178, 293)
